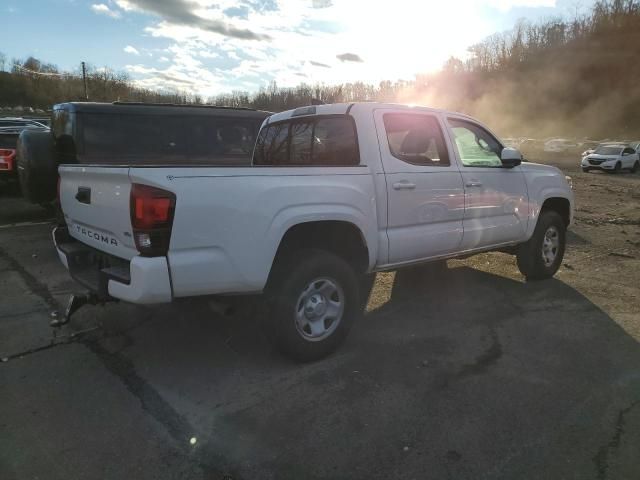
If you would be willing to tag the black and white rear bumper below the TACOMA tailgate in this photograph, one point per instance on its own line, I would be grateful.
(142, 280)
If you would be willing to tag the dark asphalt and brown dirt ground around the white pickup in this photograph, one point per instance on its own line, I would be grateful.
(466, 374)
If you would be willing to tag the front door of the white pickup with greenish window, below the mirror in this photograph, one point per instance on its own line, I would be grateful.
(496, 200)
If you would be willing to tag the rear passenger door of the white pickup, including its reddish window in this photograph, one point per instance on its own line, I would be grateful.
(424, 186)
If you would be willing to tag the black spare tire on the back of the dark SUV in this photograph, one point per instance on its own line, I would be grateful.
(37, 169)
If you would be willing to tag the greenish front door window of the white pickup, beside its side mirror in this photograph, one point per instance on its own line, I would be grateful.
(476, 146)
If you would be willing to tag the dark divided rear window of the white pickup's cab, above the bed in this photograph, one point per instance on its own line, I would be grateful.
(320, 141)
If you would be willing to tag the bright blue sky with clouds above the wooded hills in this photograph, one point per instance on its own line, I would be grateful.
(216, 46)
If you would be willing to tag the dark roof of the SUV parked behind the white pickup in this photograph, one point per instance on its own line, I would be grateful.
(139, 108)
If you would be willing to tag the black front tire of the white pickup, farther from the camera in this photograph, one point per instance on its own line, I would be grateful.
(530, 256)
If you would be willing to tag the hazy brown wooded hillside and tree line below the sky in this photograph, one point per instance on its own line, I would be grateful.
(578, 77)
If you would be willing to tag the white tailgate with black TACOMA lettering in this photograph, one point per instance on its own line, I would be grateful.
(95, 202)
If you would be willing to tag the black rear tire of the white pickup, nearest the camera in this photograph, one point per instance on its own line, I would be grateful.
(289, 282)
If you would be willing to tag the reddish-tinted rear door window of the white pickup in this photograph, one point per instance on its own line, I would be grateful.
(416, 139)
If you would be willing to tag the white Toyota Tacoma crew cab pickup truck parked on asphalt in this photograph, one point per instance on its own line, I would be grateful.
(333, 192)
